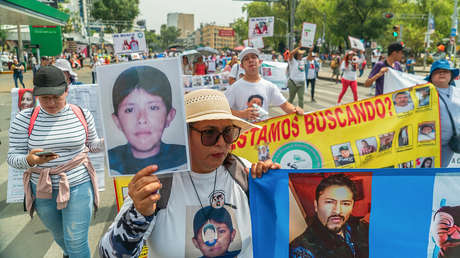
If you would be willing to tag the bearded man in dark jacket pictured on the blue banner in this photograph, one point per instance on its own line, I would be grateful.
(333, 232)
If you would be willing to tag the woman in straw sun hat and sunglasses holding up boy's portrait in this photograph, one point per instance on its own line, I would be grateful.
(161, 211)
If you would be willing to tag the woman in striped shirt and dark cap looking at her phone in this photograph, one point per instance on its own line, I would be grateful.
(51, 143)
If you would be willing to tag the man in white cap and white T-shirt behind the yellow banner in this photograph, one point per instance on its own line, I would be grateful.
(253, 84)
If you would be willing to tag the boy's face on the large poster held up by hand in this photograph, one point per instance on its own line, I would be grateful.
(142, 117)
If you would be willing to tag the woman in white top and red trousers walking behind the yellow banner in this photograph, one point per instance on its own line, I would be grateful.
(349, 67)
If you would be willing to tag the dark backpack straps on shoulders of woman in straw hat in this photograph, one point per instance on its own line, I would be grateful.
(232, 164)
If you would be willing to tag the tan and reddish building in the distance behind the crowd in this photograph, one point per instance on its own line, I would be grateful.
(218, 37)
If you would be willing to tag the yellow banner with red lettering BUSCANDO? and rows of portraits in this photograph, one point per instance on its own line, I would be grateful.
(399, 129)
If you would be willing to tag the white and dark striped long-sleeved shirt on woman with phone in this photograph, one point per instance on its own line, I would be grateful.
(61, 133)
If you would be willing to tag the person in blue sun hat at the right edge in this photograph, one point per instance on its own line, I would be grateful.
(442, 76)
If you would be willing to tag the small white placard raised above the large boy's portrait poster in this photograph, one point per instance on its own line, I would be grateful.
(131, 42)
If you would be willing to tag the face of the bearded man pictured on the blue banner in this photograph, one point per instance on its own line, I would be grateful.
(334, 207)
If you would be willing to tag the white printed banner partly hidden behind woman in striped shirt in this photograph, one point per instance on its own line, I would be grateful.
(85, 96)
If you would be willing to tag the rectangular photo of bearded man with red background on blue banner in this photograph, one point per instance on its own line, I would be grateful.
(329, 214)
